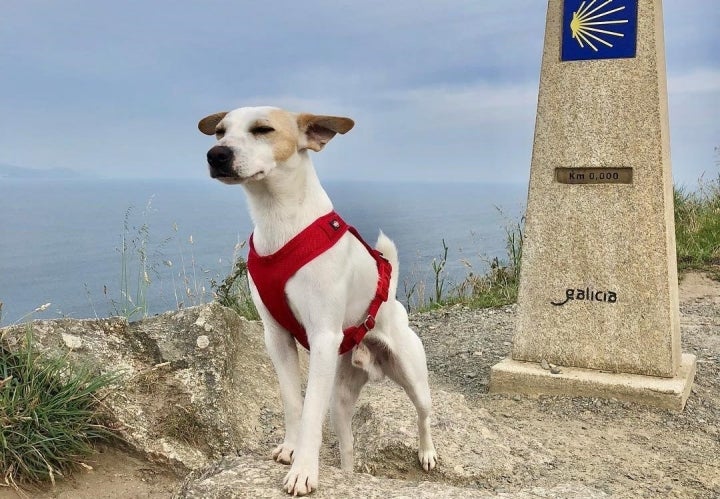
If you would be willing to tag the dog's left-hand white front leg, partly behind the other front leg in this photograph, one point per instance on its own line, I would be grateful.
(283, 352)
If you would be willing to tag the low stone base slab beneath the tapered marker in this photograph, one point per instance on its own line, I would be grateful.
(510, 376)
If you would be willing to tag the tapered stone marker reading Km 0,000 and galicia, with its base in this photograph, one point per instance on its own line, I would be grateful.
(598, 302)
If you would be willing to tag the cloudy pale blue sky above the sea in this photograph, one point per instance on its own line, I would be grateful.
(441, 90)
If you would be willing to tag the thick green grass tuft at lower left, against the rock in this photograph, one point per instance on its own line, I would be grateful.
(49, 414)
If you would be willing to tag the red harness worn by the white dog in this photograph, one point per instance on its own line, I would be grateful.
(270, 274)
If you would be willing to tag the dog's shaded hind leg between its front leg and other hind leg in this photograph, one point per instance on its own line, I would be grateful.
(349, 381)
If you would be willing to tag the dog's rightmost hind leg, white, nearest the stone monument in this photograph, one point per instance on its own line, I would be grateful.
(408, 368)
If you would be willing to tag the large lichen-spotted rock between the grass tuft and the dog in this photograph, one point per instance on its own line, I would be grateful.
(195, 383)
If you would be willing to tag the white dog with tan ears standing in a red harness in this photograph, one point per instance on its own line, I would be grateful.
(266, 151)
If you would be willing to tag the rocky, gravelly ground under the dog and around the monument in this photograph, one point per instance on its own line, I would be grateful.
(489, 445)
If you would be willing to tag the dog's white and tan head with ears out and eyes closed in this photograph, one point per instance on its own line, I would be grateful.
(254, 141)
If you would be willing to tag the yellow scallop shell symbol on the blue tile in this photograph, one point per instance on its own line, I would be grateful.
(585, 22)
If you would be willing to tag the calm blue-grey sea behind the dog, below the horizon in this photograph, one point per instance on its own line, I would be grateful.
(87, 247)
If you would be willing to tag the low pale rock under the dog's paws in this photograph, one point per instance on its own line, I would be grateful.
(478, 454)
